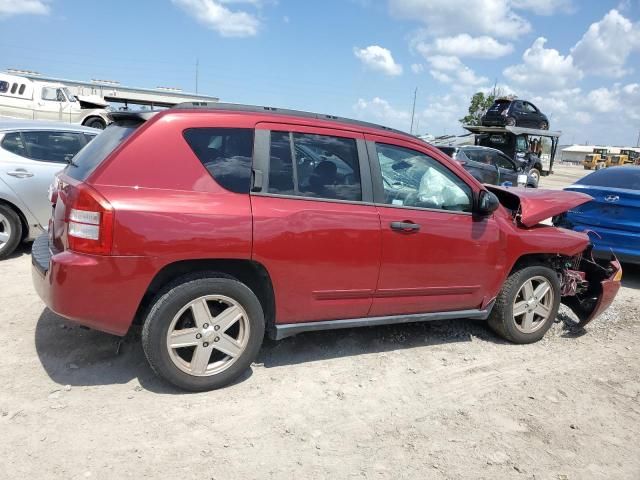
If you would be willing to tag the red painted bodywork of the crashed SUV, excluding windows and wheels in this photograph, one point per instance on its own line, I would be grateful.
(327, 260)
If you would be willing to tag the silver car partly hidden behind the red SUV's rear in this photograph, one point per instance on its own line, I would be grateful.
(31, 153)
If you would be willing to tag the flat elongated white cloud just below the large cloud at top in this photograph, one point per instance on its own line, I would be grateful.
(464, 45)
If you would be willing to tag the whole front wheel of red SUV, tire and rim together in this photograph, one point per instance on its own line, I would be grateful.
(513, 295)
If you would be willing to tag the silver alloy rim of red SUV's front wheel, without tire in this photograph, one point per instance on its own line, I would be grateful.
(533, 304)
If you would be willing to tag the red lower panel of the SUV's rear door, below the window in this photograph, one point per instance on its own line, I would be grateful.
(323, 257)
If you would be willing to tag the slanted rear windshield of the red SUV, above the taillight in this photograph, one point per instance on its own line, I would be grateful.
(88, 159)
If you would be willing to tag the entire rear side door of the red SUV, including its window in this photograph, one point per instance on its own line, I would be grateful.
(315, 227)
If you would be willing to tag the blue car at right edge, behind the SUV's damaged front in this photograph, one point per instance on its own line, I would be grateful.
(612, 218)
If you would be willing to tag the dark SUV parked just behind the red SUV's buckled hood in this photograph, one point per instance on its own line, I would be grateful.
(491, 166)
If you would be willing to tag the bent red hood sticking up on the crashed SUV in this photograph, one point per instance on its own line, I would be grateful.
(532, 205)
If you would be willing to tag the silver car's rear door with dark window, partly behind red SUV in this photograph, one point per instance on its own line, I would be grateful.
(30, 160)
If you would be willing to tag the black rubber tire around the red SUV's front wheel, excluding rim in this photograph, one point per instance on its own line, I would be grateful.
(508, 321)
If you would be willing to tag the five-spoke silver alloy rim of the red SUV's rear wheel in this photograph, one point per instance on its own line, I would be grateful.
(208, 335)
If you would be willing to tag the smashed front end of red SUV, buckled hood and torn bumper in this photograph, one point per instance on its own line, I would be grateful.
(588, 285)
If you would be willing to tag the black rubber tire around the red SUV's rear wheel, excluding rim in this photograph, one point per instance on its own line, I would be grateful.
(157, 324)
